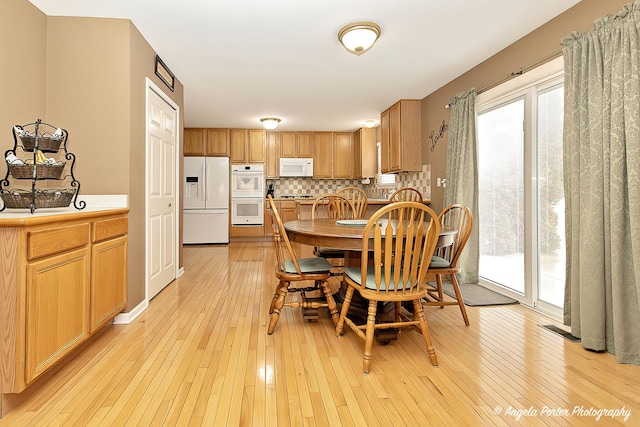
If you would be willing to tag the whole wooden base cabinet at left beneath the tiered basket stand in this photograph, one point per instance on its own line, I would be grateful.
(62, 277)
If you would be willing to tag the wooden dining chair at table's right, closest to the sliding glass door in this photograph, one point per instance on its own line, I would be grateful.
(445, 260)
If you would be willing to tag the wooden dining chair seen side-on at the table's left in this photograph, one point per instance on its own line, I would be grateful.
(290, 269)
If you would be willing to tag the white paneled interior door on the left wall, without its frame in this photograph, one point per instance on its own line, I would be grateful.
(162, 142)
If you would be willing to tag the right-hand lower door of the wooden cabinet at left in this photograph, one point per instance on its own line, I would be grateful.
(108, 280)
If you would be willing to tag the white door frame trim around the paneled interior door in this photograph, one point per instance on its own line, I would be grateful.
(151, 86)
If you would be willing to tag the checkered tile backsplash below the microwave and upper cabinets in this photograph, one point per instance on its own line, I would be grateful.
(315, 187)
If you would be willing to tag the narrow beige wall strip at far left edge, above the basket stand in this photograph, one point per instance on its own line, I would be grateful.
(23, 49)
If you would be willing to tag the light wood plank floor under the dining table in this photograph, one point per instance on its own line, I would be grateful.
(199, 355)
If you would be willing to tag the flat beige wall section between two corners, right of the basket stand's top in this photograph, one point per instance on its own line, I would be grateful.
(88, 94)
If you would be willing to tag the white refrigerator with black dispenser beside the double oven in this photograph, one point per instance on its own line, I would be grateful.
(206, 200)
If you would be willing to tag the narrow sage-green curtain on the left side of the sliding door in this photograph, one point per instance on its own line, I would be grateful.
(462, 174)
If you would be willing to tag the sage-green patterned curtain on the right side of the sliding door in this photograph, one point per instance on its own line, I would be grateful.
(602, 184)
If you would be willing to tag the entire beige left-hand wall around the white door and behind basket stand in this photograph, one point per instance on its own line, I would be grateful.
(87, 75)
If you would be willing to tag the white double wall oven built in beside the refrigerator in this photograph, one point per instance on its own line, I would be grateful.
(247, 194)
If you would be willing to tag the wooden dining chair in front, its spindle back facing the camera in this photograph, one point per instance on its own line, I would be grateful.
(396, 278)
